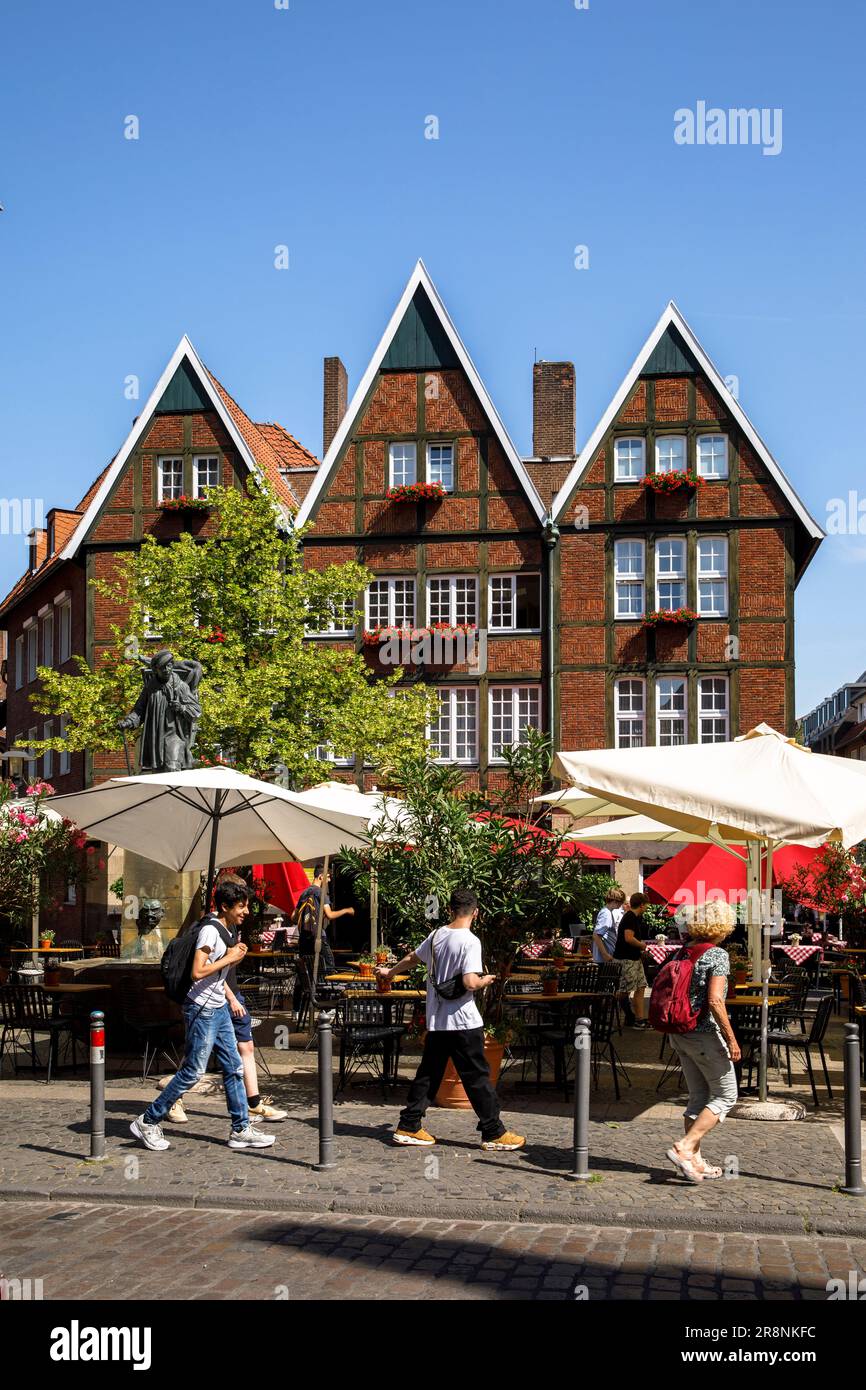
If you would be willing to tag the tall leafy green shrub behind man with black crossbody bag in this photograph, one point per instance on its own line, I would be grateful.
(447, 837)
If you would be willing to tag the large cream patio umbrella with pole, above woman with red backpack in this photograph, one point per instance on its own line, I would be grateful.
(762, 789)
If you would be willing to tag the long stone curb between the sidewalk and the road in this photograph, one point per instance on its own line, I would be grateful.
(553, 1214)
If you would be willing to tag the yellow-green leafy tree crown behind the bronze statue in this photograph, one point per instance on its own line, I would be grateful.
(238, 603)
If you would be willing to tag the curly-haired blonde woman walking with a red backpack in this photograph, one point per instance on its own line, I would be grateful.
(689, 1004)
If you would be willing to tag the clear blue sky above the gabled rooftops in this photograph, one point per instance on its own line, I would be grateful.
(305, 127)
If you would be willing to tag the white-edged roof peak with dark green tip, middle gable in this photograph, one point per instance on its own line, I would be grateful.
(426, 327)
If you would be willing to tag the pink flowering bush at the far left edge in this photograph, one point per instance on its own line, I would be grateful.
(40, 854)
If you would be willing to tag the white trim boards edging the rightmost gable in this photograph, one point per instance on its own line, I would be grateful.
(672, 318)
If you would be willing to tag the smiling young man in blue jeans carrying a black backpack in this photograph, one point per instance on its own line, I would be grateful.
(208, 1020)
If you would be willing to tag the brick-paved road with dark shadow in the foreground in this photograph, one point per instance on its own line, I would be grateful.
(83, 1252)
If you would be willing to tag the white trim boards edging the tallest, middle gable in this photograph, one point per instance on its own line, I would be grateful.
(419, 279)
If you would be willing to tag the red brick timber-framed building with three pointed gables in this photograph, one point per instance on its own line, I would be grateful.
(557, 559)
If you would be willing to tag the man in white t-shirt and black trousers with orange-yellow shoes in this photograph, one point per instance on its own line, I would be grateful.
(455, 1029)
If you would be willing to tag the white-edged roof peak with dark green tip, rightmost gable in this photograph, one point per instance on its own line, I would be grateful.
(690, 352)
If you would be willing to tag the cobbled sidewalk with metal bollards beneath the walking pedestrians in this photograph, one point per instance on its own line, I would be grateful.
(786, 1172)
